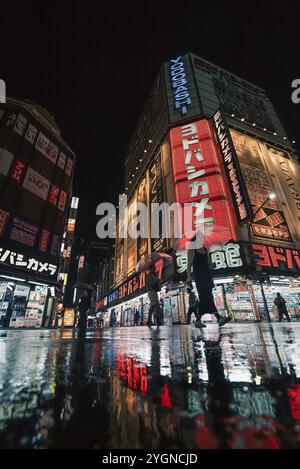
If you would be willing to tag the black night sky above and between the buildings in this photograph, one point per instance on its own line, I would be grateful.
(92, 64)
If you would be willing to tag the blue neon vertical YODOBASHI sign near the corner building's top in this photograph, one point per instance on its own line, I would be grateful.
(180, 88)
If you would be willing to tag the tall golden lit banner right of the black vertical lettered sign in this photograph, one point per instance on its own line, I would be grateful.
(270, 222)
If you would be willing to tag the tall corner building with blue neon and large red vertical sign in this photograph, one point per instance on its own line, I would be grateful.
(212, 139)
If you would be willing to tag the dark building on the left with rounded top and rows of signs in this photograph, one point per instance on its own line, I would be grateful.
(36, 174)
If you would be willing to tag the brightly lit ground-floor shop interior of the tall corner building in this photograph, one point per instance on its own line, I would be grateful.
(238, 296)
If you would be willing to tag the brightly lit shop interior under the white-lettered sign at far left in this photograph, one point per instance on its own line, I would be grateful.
(25, 303)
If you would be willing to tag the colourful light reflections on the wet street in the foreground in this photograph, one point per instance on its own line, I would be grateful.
(179, 387)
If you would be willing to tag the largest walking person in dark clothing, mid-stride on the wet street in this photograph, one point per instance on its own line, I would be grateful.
(199, 260)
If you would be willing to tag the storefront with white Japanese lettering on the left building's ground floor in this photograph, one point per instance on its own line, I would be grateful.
(28, 287)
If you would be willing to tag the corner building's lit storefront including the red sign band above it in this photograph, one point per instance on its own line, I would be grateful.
(245, 287)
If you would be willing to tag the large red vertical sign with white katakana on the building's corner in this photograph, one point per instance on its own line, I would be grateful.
(199, 180)
